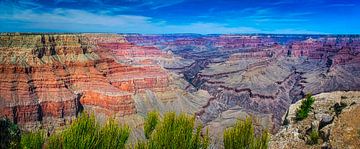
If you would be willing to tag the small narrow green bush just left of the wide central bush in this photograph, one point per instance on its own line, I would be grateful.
(150, 123)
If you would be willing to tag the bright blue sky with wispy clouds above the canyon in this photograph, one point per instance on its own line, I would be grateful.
(182, 16)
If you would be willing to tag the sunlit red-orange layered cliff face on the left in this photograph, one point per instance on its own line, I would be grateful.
(47, 79)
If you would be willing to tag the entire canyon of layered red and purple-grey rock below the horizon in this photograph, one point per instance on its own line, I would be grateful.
(47, 79)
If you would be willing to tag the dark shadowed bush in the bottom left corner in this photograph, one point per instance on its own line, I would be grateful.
(9, 134)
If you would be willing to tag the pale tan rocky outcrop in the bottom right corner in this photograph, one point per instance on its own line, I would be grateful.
(336, 126)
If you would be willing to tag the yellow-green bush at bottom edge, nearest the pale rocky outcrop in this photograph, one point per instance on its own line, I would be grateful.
(242, 136)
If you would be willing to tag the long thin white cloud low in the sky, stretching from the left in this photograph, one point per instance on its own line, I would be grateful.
(70, 20)
